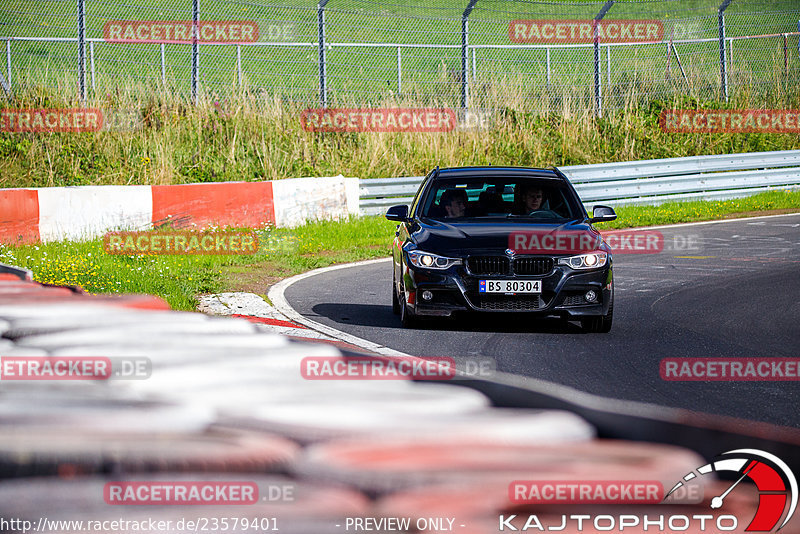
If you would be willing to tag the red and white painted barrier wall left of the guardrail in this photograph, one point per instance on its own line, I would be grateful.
(84, 212)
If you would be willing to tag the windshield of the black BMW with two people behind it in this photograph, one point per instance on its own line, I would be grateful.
(528, 198)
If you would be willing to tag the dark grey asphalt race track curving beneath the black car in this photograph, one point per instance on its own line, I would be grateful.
(727, 289)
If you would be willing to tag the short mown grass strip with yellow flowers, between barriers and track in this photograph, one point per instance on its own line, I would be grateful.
(286, 252)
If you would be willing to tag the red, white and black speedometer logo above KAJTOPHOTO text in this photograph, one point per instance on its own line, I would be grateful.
(776, 484)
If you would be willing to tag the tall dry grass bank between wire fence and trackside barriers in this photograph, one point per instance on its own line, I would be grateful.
(253, 137)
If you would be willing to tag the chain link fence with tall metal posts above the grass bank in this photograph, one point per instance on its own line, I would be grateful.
(549, 55)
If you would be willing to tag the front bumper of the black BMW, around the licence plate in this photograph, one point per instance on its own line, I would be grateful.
(456, 289)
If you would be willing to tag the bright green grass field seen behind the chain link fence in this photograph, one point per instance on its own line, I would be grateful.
(359, 75)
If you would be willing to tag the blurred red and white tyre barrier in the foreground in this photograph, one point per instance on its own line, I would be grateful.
(195, 400)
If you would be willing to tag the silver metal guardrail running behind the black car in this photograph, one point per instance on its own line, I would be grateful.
(638, 182)
